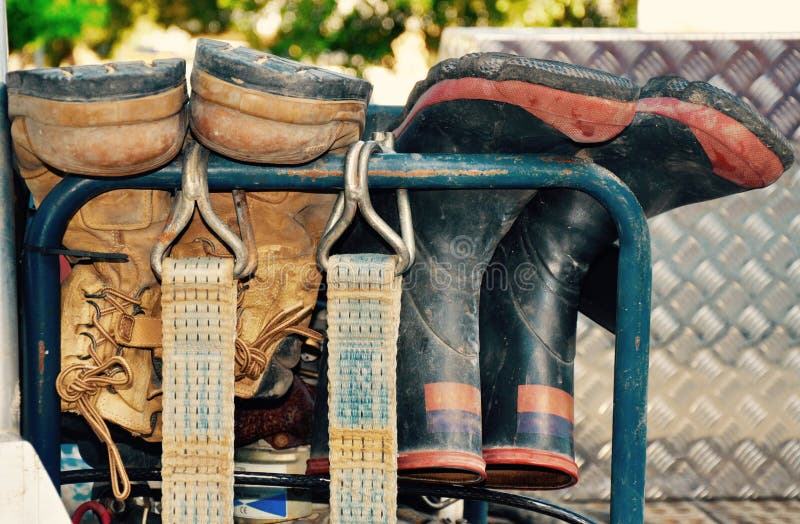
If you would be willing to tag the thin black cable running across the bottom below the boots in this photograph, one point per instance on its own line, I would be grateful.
(405, 487)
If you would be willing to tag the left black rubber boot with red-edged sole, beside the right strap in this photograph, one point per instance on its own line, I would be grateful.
(481, 103)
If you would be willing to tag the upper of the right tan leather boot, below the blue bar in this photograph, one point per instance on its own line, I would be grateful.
(277, 300)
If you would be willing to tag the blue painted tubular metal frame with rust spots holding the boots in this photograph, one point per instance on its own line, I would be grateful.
(41, 351)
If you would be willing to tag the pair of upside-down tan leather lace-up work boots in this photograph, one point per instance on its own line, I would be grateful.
(128, 118)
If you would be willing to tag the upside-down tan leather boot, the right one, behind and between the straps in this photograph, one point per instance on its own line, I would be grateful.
(256, 107)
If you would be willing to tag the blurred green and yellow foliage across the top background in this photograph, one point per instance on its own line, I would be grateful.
(360, 31)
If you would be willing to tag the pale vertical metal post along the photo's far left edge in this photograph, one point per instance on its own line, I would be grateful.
(9, 343)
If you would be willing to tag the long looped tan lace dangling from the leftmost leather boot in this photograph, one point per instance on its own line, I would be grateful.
(78, 383)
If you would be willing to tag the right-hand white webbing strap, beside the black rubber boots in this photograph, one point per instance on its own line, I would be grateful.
(363, 323)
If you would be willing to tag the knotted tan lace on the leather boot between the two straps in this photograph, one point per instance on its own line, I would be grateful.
(252, 357)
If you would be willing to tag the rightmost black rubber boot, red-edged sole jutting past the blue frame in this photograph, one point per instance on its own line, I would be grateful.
(688, 142)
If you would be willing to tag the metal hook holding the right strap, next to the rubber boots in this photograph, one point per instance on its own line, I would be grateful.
(356, 197)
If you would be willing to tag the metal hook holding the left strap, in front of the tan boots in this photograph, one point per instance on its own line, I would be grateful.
(194, 191)
